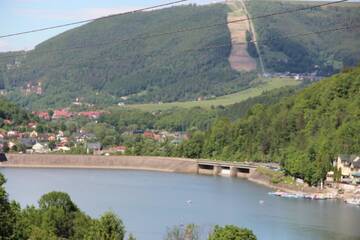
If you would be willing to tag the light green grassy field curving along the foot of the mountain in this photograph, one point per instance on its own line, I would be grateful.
(270, 84)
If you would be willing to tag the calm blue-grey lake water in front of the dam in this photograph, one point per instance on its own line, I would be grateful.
(150, 202)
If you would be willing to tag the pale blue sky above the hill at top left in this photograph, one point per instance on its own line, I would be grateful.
(24, 15)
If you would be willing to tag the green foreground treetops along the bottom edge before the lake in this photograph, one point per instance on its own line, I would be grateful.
(57, 217)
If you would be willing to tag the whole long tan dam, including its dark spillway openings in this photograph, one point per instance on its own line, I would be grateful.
(163, 164)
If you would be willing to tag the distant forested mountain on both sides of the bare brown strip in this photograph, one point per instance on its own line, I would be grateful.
(160, 69)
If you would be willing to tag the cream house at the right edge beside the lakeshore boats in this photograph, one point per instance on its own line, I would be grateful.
(349, 165)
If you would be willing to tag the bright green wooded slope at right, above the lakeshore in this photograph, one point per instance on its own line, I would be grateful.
(303, 132)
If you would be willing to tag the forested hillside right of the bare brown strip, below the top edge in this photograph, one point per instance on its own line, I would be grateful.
(325, 53)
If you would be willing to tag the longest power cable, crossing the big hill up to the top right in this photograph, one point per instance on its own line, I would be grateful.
(146, 36)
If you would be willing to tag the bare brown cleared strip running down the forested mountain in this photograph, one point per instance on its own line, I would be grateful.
(239, 58)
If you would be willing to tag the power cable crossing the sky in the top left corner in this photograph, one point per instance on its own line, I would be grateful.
(90, 20)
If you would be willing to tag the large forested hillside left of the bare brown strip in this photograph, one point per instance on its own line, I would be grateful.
(149, 69)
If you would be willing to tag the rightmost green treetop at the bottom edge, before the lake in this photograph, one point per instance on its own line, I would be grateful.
(230, 232)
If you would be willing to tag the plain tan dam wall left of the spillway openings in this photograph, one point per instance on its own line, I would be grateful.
(164, 164)
